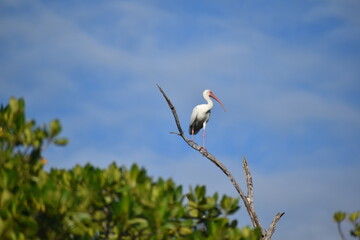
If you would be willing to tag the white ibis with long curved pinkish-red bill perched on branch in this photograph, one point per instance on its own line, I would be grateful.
(201, 115)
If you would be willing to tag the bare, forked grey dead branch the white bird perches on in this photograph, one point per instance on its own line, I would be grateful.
(247, 199)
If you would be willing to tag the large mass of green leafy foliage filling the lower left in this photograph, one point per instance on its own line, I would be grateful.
(86, 202)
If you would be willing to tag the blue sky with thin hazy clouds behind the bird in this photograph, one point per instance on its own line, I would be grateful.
(287, 71)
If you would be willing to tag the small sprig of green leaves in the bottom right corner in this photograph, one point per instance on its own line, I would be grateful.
(353, 218)
